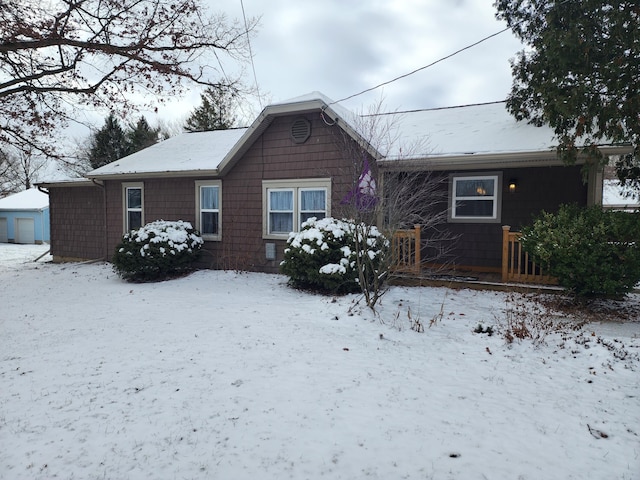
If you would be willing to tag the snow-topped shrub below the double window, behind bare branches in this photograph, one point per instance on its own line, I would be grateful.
(324, 255)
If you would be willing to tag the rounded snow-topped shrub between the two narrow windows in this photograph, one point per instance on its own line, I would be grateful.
(157, 250)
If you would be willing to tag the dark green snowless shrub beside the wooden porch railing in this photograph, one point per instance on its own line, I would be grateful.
(590, 251)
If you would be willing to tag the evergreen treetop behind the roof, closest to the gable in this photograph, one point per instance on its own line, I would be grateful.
(216, 111)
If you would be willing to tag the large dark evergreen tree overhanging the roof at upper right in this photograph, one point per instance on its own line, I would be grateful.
(581, 74)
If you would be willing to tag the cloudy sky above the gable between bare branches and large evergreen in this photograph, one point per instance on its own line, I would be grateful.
(342, 47)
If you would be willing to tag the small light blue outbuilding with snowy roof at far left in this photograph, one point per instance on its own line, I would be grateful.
(24, 217)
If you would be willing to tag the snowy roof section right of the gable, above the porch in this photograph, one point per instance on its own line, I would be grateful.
(472, 136)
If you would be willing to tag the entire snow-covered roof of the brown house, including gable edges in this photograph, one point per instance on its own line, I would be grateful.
(474, 136)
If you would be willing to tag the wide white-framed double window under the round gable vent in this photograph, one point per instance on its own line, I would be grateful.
(289, 203)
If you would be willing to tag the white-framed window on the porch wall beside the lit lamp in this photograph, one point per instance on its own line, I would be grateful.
(475, 198)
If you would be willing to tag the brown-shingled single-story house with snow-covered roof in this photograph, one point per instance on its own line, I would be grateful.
(245, 189)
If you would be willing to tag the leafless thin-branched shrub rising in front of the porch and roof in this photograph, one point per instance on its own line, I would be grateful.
(390, 199)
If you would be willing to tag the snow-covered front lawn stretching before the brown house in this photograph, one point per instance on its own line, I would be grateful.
(225, 375)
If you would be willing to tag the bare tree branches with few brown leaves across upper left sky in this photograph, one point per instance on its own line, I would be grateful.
(59, 55)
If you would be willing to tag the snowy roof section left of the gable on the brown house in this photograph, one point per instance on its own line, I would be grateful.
(186, 153)
